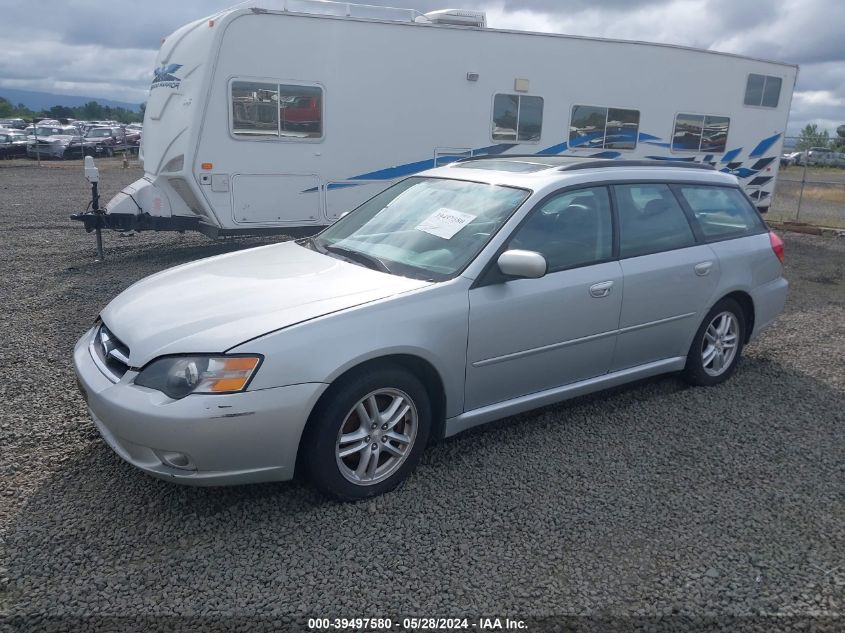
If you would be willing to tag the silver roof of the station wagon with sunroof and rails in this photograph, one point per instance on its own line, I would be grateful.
(544, 172)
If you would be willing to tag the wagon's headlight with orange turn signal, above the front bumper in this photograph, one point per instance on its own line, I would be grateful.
(179, 376)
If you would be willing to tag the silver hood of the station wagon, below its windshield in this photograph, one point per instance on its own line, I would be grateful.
(214, 304)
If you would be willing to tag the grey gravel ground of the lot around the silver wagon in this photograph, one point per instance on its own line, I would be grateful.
(707, 505)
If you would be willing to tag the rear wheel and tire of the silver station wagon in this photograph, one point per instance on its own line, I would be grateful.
(711, 343)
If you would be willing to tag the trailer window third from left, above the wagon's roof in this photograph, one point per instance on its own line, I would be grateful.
(597, 127)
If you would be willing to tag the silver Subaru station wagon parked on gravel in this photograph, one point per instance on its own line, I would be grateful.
(458, 296)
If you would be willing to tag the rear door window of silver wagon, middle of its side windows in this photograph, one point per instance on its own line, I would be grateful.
(650, 220)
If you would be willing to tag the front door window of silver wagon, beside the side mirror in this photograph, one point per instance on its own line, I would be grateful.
(569, 230)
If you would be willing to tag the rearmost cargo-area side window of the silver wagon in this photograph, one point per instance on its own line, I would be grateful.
(721, 212)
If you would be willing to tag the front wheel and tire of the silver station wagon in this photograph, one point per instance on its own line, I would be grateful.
(331, 461)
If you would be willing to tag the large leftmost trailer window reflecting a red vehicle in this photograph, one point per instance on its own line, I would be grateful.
(270, 109)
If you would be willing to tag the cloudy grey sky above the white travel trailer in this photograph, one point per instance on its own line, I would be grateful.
(106, 48)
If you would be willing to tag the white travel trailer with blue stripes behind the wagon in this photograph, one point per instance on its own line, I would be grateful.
(279, 115)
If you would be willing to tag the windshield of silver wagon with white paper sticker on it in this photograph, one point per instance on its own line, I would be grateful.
(425, 228)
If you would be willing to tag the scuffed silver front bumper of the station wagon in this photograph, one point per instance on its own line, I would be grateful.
(219, 439)
